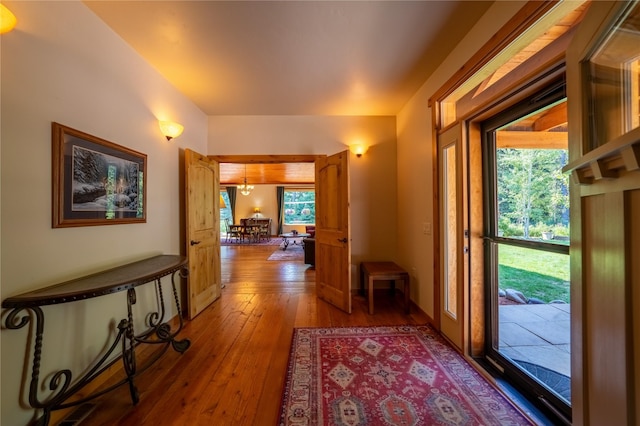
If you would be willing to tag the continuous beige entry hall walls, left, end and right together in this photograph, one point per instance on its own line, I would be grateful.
(63, 64)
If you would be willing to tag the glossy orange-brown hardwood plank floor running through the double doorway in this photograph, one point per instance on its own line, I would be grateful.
(234, 371)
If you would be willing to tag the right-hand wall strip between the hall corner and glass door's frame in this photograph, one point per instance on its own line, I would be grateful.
(415, 165)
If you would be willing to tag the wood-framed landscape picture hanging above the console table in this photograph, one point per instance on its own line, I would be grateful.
(95, 182)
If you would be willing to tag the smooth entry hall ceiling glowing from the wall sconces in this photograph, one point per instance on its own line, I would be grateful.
(293, 57)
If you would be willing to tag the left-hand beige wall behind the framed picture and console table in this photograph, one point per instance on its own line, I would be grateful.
(63, 64)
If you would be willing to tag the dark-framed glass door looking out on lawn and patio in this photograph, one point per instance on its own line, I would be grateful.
(526, 258)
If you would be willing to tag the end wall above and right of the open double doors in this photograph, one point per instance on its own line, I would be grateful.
(372, 176)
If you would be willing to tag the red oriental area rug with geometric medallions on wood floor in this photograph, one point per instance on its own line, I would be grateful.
(399, 375)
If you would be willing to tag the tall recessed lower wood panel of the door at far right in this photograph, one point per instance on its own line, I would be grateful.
(606, 322)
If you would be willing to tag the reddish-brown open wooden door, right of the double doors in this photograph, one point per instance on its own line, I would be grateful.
(333, 238)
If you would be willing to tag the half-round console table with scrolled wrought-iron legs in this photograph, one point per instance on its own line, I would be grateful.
(27, 307)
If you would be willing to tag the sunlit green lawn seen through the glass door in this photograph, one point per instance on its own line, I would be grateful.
(535, 273)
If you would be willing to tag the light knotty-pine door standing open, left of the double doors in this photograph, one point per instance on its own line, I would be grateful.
(202, 180)
